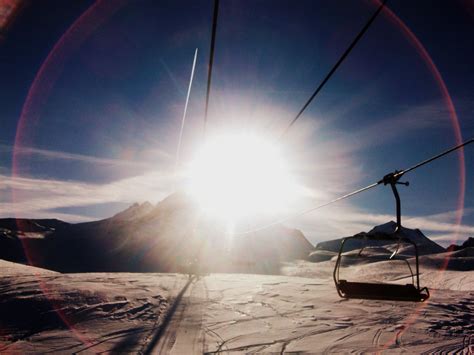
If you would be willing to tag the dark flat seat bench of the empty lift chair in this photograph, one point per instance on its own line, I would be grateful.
(381, 291)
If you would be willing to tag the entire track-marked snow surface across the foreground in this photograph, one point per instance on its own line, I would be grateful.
(121, 312)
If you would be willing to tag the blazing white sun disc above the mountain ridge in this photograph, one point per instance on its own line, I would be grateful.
(240, 175)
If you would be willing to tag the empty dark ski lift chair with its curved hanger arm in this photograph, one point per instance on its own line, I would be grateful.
(383, 291)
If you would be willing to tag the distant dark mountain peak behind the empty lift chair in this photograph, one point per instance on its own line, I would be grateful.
(424, 244)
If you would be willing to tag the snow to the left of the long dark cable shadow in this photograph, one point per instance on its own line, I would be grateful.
(43, 311)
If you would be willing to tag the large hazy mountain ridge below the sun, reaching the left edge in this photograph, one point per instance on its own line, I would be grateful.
(171, 236)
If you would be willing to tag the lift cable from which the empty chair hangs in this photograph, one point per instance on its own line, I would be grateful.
(387, 179)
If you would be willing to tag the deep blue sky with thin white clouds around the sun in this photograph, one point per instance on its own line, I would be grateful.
(92, 96)
